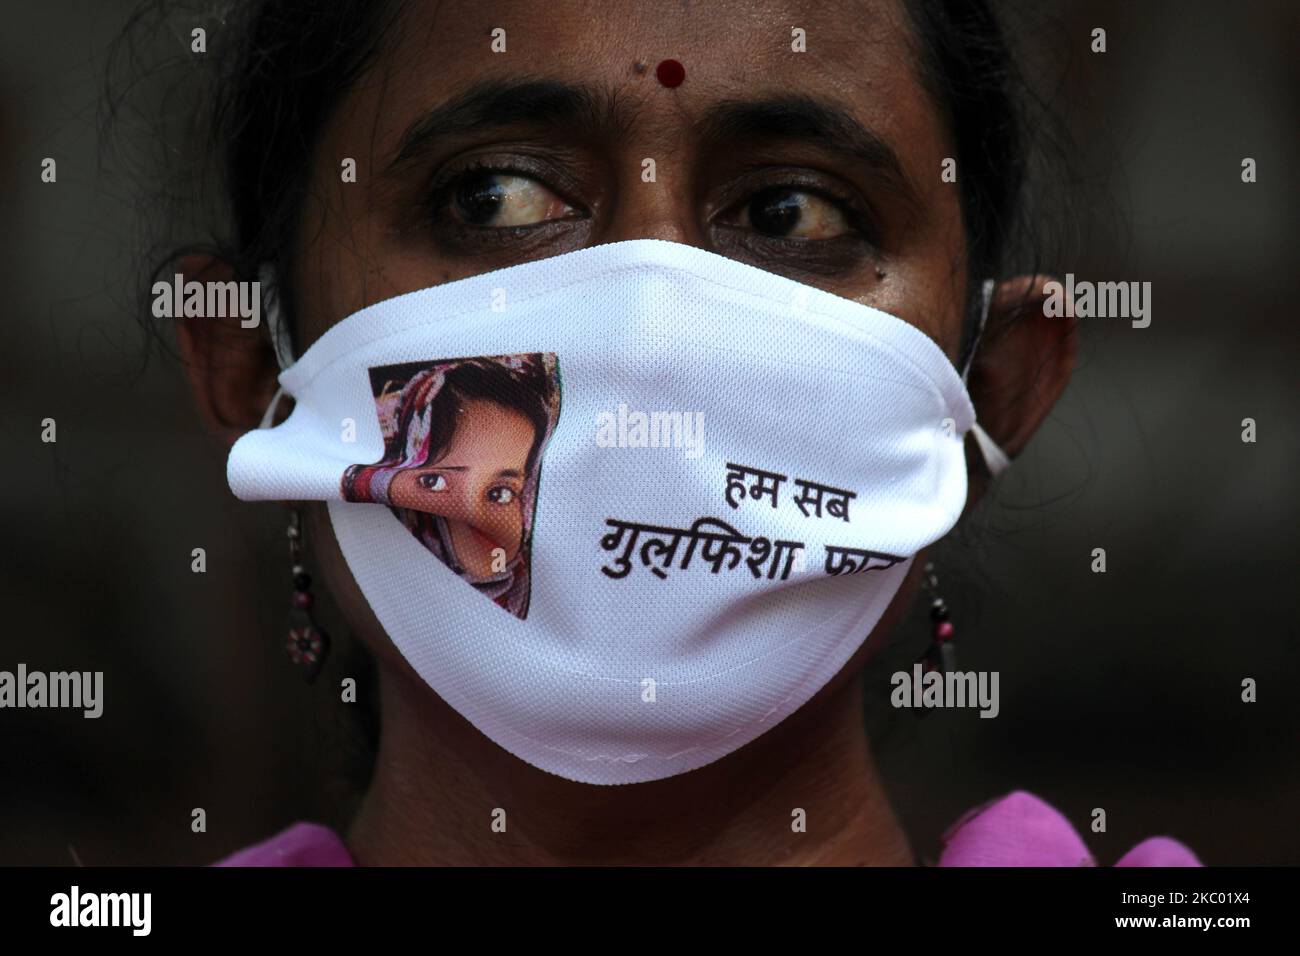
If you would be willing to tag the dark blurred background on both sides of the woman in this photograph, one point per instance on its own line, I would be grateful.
(1119, 690)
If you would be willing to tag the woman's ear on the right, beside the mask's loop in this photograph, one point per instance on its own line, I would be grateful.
(1022, 365)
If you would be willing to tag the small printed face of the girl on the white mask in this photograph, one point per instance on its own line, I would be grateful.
(476, 486)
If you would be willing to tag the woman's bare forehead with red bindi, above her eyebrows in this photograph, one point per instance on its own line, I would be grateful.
(848, 50)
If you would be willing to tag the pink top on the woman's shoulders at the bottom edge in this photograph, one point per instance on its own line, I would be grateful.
(1015, 830)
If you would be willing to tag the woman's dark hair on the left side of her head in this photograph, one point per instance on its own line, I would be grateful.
(275, 76)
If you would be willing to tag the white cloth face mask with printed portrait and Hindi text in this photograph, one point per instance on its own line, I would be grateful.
(630, 507)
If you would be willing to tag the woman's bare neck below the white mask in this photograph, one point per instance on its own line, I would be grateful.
(440, 785)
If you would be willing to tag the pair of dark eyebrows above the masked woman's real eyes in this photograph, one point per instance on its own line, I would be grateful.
(496, 105)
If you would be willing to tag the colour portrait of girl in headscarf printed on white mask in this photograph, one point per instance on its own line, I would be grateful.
(463, 447)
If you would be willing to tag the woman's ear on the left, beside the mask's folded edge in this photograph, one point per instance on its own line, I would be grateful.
(232, 369)
